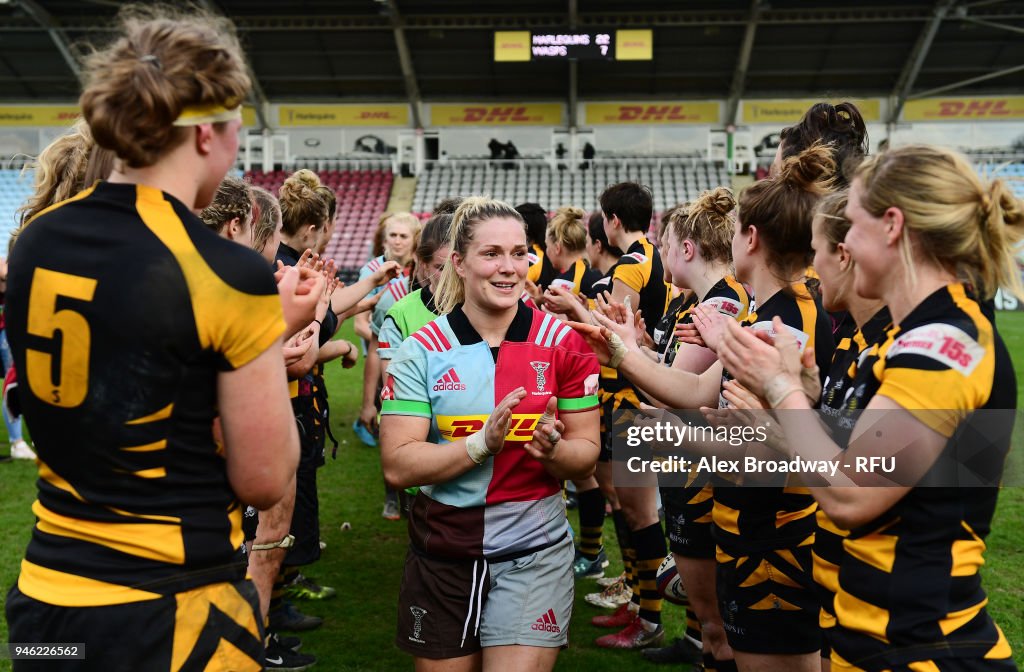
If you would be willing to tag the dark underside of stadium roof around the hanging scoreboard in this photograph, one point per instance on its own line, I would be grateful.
(351, 51)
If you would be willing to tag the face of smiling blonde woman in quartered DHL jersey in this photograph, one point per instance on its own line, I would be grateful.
(494, 268)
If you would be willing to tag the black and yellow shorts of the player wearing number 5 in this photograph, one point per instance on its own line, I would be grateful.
(186, 632)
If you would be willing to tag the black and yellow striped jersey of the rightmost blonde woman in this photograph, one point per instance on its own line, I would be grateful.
(910, 587)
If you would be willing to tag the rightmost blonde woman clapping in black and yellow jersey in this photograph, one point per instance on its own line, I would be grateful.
(910, 594)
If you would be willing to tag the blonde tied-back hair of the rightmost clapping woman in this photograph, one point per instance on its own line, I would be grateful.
(961, 223)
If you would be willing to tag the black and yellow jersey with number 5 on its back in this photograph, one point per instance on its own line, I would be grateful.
(122, 310)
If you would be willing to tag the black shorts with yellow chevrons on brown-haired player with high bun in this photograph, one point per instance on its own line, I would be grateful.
(767, 603)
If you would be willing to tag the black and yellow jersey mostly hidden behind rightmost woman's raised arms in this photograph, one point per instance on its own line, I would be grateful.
(837, 400)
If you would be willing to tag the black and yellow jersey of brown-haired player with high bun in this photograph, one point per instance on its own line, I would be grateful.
(758, 519)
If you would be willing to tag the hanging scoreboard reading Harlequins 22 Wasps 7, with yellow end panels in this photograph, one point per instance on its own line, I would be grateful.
(511, 47)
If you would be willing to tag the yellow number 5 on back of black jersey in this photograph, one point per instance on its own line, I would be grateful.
(72, 384)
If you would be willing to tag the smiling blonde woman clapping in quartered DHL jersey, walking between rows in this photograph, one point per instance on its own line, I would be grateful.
(488, 409)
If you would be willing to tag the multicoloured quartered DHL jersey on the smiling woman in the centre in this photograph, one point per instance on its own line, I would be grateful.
(446, 372)
